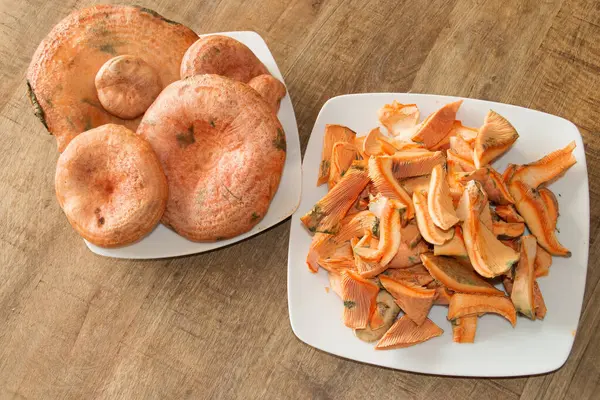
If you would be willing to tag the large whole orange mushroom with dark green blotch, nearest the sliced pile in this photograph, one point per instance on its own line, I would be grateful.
(222, 149)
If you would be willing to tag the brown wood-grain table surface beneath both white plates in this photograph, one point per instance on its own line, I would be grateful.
(76, 325)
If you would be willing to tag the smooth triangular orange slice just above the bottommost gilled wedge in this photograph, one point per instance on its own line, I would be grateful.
(415, 301)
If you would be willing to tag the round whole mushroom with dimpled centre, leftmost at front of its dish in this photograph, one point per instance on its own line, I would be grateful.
(111, 186)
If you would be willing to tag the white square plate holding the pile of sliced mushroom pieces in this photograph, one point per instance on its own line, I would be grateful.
(533, 347)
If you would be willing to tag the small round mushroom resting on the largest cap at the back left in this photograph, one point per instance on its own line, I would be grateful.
(126, 86)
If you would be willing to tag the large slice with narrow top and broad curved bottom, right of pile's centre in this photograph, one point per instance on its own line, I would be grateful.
(487, 254)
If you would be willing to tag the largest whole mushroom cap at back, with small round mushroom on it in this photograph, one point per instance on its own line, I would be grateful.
(61, 76)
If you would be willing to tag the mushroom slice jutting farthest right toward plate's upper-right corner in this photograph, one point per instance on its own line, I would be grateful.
(546, 169)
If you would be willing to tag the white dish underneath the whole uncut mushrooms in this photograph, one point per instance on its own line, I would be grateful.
(163, 242)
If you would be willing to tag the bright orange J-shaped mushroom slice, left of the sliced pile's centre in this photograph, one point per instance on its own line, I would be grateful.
(389, 237)
